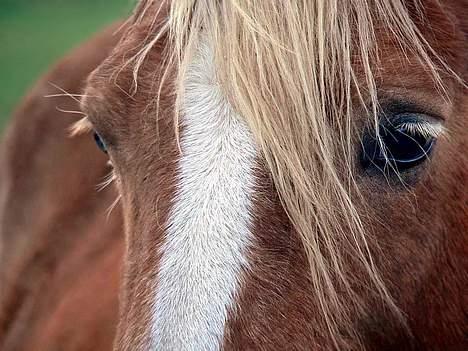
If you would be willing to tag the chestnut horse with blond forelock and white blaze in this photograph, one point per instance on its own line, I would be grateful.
(291, 176)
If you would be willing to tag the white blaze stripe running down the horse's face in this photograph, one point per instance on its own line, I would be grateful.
(209, 227)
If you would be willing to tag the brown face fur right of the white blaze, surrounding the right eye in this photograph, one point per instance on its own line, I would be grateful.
(421, 234)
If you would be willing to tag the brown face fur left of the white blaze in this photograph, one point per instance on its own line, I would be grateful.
(138, 189)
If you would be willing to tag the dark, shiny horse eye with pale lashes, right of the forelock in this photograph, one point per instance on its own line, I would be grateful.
(404, 143)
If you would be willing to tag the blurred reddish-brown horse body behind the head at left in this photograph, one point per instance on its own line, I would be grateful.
(60, 253)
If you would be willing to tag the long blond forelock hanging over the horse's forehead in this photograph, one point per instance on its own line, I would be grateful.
(289, 69)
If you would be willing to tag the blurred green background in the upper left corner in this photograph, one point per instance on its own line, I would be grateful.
(35, 33)
